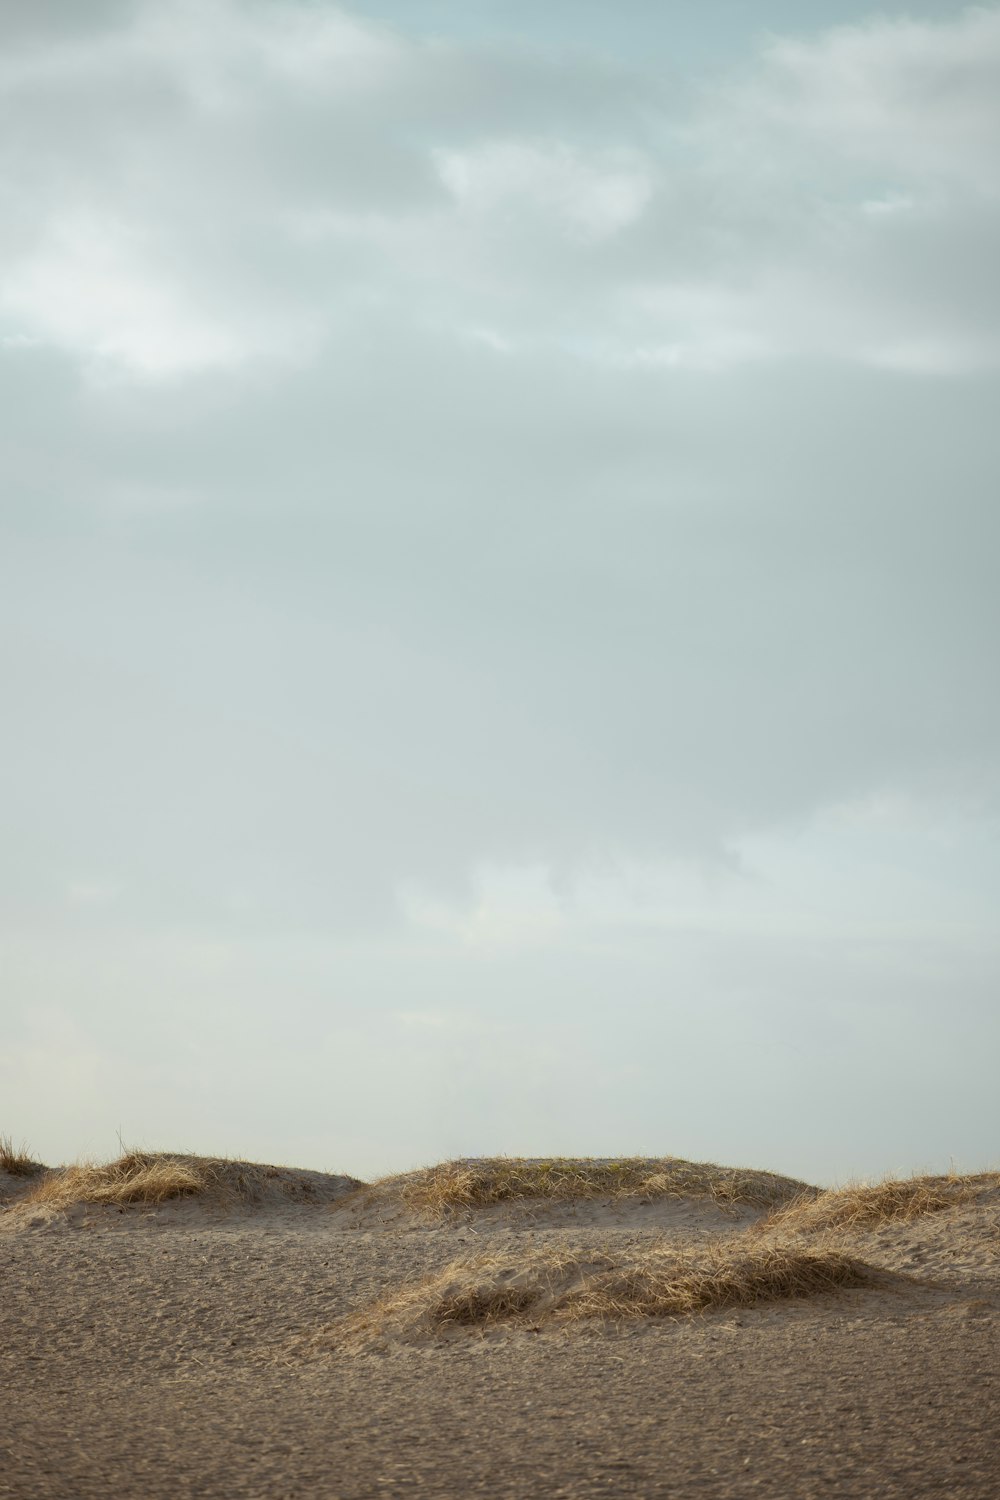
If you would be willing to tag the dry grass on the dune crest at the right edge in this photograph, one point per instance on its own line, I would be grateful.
(873, 1205)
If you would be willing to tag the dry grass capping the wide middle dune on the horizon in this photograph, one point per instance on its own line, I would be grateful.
(461, 1186)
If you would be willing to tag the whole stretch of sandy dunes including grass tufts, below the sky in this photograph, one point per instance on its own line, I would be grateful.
(179, 1325)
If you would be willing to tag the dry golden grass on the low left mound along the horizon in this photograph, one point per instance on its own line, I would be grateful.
(157, 1178)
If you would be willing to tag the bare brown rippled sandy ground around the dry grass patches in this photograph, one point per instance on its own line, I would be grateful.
(166, 1354)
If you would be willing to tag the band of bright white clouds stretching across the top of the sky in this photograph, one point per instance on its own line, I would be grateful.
(239, 179)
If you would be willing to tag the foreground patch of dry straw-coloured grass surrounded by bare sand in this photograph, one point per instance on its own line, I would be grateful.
(636, 1283)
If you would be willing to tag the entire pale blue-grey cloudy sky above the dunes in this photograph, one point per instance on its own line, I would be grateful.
(499, 581)
